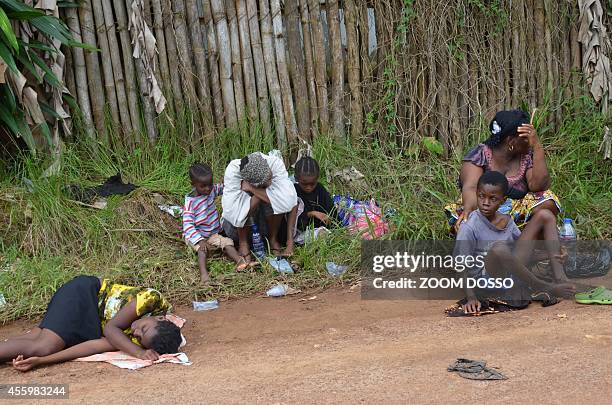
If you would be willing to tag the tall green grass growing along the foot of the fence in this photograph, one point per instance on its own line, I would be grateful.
(46, 238)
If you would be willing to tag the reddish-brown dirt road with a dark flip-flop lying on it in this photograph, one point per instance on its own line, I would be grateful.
(339, 349)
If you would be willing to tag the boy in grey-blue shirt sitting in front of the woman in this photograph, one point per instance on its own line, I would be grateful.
(486, 226)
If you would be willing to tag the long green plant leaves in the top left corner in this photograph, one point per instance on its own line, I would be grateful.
(30, 61)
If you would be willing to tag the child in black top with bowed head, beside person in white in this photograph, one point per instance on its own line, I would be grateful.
(318, 204)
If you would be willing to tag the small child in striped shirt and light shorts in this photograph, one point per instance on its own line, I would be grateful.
(201, 225)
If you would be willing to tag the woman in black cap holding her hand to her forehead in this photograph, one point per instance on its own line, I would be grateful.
(513, 148)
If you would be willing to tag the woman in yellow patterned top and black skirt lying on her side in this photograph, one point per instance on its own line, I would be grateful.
(89, 316)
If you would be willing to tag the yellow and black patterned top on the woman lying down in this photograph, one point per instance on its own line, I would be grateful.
(112, 297)
